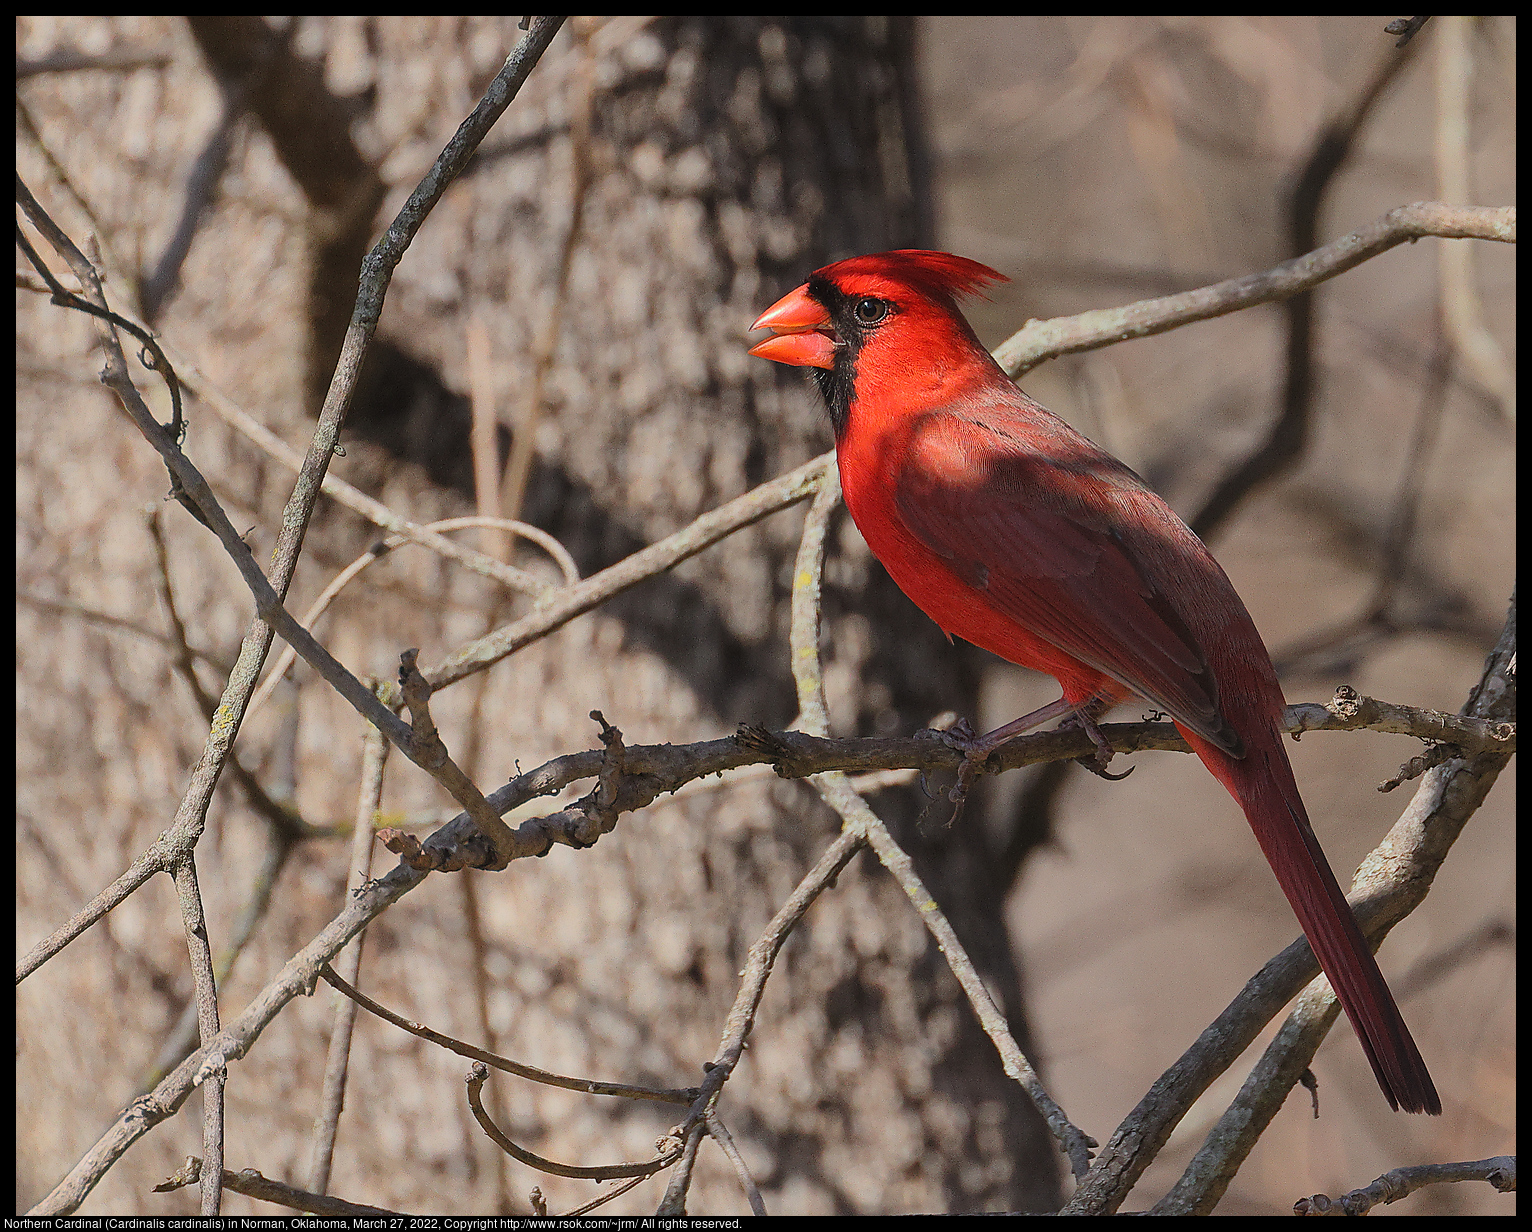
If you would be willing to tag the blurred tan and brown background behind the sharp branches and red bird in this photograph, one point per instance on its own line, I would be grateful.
(584, 289)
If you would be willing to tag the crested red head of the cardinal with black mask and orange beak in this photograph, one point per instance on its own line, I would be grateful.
(882, 327)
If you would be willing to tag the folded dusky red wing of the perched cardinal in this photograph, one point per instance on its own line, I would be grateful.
(1059, 571)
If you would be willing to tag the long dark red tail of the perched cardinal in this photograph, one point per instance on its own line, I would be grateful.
(1263, 785)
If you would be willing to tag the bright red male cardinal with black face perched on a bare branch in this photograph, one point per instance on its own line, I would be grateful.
(1015, 532)
